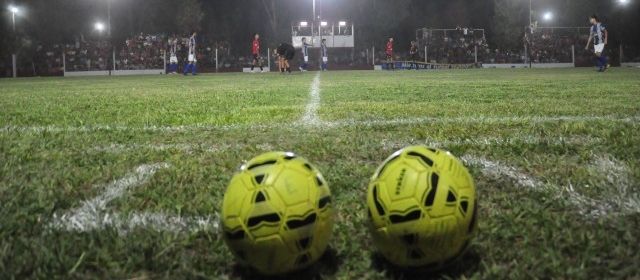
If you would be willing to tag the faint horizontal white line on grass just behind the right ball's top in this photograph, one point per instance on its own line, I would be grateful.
(493, 141)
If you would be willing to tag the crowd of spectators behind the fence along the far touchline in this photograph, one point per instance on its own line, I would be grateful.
(451, 46)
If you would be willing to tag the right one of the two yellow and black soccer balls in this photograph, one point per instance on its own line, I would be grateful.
(422, 207)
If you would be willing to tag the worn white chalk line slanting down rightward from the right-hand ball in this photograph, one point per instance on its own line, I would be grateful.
(588, 207)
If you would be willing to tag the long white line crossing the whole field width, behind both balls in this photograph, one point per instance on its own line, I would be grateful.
(318, 123)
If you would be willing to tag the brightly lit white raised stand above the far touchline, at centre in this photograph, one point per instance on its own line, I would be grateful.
(338, 35)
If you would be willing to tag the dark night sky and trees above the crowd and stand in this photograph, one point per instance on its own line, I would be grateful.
(60, 21)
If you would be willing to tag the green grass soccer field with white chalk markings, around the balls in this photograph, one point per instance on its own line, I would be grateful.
(120, 178)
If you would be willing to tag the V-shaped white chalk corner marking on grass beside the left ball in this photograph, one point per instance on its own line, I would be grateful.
(92, 214)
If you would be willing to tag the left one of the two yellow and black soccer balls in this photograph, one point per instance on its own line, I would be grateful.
(277, 214)
